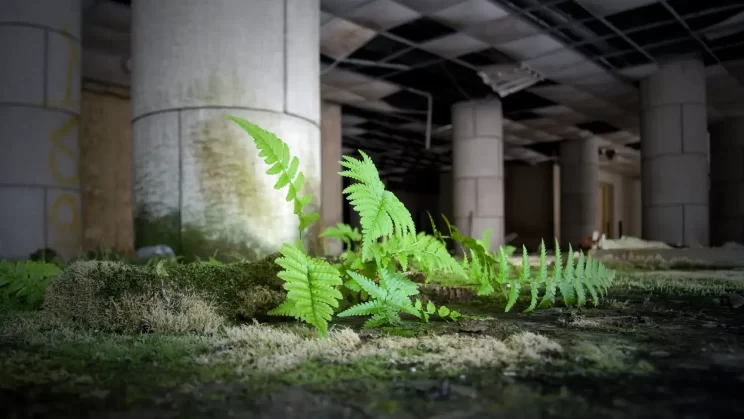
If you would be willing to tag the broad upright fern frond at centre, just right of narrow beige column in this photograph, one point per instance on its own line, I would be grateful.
(380, 212)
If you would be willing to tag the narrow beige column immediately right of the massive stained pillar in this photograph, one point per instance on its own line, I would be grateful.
(332, 200)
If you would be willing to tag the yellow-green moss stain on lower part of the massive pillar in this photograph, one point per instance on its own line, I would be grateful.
(232, 207)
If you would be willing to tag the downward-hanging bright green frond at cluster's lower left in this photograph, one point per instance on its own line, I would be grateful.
(310, 284)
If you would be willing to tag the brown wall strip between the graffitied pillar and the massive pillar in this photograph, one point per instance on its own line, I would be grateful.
(106, 168)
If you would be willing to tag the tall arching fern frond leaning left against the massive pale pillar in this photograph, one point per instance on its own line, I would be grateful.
(276, 154)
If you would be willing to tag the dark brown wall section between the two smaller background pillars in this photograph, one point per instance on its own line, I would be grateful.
(529, 203)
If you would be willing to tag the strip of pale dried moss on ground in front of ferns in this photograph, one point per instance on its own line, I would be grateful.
(269, 349)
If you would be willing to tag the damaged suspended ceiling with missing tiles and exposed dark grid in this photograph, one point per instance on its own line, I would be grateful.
(383, 59)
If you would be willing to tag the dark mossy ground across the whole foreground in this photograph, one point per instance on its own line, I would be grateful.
(661, 345)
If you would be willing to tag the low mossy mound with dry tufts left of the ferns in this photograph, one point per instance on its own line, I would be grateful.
(118, 297)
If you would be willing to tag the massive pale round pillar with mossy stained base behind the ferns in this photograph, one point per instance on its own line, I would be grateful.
(199, 184)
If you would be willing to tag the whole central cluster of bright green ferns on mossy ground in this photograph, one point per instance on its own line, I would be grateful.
(388, 244)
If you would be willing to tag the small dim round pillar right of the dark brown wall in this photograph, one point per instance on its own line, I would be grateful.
(579, 180)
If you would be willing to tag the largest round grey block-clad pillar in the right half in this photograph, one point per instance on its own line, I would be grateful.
(674, 151)
